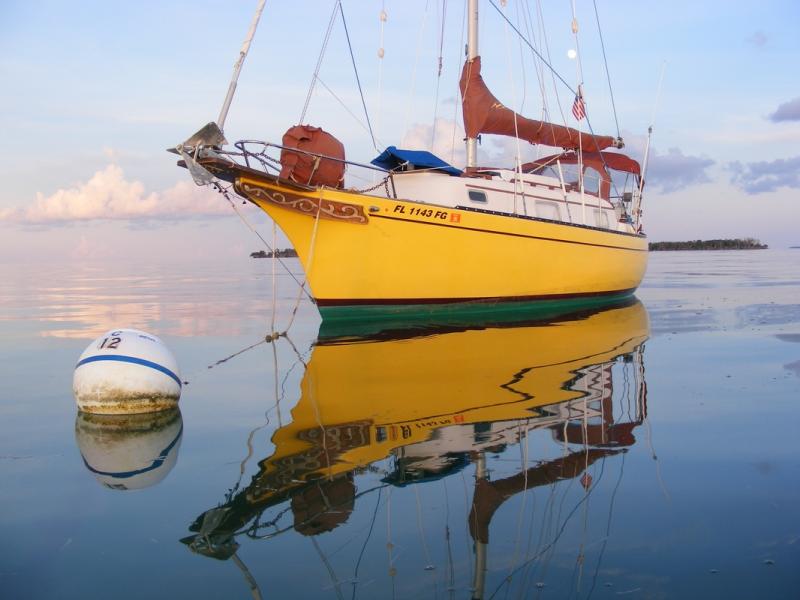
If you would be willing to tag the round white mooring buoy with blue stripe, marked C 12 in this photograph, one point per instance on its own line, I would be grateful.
(126, 371)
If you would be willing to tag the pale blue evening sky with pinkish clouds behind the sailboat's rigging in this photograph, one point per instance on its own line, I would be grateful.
(95, 91)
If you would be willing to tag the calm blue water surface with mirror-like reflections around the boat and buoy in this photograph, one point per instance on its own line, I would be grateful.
(650, 450)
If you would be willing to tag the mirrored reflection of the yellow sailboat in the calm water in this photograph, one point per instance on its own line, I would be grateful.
(435, 405)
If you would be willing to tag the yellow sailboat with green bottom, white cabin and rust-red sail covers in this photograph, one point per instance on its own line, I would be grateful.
(562, 229)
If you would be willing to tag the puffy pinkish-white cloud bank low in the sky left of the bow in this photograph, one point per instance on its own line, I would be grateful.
(107, 195)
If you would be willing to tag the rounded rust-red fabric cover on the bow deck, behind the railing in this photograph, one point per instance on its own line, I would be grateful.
(308, 169)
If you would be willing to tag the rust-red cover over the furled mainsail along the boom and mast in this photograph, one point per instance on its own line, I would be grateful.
(483, 113)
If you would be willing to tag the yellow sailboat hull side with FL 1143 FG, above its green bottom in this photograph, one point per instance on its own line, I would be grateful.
(361, 250)
